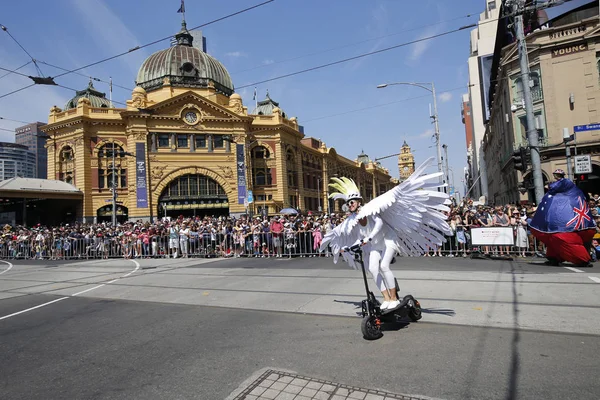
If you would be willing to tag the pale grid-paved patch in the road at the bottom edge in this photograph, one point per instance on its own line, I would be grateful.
(273, 384)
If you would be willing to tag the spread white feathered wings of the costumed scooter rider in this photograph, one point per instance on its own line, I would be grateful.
(411, 210)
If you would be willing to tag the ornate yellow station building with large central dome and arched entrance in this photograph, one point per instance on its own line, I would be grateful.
(186, 145)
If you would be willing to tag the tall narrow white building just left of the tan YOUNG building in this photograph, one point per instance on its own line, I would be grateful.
(482, 42)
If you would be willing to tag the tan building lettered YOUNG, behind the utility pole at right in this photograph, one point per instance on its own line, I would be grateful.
(564, 56)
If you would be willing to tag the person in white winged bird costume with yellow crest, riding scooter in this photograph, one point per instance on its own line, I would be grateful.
(407, 220)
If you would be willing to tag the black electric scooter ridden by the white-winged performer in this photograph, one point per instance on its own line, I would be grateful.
(372, 316)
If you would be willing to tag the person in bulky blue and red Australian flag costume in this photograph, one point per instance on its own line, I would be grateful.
(563, 222)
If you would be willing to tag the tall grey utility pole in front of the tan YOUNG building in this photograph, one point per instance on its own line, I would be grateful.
(532, 134)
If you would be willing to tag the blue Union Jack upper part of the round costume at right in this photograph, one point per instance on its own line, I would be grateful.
(563, 209)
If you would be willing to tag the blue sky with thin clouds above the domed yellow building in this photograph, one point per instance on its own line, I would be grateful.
(340, 104)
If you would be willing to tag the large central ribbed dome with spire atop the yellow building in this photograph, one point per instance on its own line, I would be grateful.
(185, 66)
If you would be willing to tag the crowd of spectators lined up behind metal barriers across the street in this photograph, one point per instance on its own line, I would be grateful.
(257, 236)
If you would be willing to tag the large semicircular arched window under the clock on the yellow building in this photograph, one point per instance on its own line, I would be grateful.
(193, 195)
